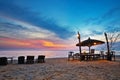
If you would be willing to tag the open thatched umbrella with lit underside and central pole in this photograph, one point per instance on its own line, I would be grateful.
(90, 42)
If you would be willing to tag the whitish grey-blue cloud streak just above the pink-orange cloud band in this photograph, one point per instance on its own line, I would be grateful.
(24, 31)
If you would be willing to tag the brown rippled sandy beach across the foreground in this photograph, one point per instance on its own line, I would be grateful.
(62, 69)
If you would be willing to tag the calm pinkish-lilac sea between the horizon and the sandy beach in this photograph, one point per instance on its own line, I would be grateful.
(48, 54)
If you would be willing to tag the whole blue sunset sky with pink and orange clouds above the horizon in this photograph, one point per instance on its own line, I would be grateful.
(53, 24)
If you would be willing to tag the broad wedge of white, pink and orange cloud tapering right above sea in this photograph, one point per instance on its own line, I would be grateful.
(19, 35)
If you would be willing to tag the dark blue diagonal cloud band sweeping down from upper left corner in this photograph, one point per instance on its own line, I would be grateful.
(14, 11)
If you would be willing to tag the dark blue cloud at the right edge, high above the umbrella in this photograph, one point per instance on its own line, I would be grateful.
(111, 16)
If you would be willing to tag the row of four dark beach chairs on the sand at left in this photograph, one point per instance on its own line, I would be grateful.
(22, 60)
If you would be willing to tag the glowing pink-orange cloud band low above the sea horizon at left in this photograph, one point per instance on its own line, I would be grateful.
(33, 44)
